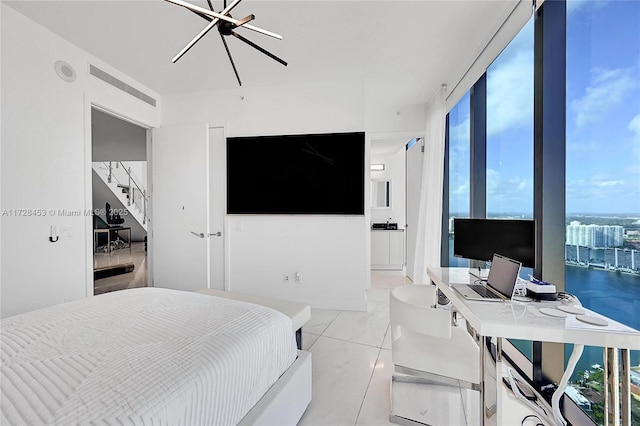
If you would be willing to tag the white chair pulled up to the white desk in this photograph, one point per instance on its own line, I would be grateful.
(426, 345)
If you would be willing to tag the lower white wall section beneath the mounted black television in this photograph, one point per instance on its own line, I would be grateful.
(328, 253)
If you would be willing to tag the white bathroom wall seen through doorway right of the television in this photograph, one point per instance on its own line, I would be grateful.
(395, 172)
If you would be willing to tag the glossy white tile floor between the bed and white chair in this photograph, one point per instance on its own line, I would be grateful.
(352, 360)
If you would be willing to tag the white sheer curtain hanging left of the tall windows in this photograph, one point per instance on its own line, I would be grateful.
(429, 226)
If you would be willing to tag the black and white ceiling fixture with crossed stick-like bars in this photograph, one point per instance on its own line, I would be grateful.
(226, 27)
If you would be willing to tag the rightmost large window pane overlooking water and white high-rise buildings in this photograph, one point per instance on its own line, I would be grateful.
(602, 251)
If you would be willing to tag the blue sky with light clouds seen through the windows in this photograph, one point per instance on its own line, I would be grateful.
(603, 116)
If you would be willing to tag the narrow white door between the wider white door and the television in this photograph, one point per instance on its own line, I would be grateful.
(217, 191)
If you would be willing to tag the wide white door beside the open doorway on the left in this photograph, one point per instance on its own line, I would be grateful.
(180, 197)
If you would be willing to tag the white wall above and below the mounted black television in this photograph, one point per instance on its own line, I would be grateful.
(331, 252)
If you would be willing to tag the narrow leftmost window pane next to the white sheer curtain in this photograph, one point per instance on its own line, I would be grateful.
(459, 164)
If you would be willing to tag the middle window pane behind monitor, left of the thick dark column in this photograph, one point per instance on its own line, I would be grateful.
(510, 138)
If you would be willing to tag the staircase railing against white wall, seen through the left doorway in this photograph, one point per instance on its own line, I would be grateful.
(126, 186)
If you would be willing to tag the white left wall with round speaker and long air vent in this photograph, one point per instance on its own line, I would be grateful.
(46, 162)
